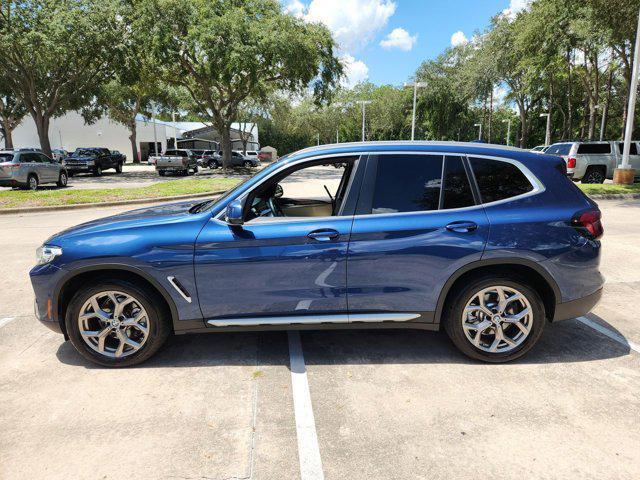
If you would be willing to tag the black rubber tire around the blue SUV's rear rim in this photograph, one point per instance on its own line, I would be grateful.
(452, 317)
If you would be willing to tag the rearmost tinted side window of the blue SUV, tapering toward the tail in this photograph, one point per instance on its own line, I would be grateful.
(498, 180)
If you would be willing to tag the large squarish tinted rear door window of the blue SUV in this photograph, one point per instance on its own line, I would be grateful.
(407, 183)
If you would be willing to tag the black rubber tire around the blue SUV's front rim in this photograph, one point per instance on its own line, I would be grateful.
(159, 323)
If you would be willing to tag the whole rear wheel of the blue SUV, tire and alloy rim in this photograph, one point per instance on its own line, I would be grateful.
(495, 319)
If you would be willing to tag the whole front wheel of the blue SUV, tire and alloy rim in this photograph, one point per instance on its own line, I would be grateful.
(116, 323)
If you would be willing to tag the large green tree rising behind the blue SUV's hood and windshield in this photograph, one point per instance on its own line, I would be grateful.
(225, 51)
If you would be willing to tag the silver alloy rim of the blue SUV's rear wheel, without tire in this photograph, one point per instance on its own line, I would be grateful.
(497, 319)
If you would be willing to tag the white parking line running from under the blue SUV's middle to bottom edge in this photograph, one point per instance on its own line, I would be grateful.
(308, 449)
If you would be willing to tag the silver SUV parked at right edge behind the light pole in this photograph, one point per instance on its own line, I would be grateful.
(594, 162)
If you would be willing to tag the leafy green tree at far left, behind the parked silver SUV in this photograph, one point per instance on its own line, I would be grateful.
(57, 53)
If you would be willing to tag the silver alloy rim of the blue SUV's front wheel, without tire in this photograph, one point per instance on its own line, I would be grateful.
(114, 324)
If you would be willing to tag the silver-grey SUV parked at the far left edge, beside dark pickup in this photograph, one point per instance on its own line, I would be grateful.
(28, 169)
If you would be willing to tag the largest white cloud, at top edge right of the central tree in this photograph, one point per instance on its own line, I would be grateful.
(354, 23)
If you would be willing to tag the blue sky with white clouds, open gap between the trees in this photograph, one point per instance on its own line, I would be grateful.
(384, 41)
